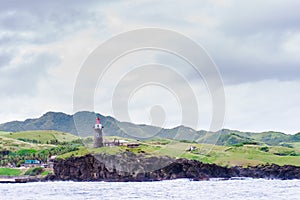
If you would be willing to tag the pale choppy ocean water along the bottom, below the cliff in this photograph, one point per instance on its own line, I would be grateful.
(173, 189)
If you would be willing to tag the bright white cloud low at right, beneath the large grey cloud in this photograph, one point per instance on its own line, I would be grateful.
(264, 105)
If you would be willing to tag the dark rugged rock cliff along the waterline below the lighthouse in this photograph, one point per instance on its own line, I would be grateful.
(130, 167)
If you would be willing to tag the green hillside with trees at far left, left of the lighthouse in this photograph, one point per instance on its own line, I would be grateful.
(18, 146)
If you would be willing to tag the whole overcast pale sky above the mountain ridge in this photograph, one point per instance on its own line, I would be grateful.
(255, 45)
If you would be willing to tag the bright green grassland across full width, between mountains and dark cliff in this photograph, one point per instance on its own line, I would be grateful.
(225, 155)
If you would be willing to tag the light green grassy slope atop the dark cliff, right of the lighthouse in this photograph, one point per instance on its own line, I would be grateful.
(222, 155)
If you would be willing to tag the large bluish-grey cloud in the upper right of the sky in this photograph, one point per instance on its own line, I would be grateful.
(247, 45)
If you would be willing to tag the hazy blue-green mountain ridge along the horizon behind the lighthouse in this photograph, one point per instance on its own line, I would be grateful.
(81, 124)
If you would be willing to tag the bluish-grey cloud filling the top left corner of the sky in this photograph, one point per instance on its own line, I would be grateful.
(47, 20)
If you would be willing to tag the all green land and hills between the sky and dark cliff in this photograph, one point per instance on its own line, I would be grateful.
(51, 135)
